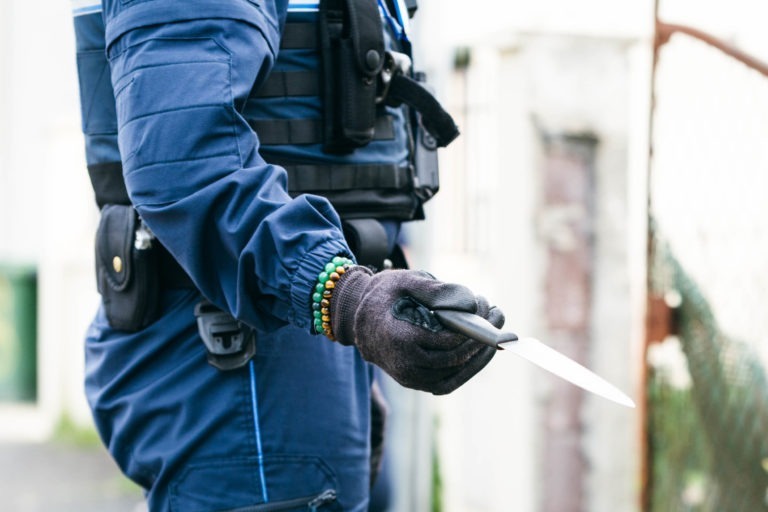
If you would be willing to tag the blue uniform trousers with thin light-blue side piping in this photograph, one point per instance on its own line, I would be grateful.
(292, 425)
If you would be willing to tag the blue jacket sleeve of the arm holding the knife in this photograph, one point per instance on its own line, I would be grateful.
(192, 166)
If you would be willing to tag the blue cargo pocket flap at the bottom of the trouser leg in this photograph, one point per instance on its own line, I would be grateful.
(279, 483)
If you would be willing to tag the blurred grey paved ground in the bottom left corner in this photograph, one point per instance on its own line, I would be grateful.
(58, 477)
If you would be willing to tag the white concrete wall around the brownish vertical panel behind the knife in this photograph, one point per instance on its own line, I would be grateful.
(561, 67)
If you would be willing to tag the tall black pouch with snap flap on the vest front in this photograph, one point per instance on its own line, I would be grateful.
(352, 55)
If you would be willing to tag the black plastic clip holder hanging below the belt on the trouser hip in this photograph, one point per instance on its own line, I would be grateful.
(229, 342)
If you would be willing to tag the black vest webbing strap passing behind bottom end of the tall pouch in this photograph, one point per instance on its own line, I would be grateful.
(308, 131)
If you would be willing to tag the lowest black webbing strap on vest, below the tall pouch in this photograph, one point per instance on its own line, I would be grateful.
(336, 178)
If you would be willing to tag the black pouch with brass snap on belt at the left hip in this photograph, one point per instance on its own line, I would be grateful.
(126, 275)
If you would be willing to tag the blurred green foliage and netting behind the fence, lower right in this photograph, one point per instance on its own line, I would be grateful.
(708, 442)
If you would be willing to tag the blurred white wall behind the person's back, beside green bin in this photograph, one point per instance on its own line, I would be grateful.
(47, 214)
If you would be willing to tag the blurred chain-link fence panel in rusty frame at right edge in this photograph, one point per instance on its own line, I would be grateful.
(707, 387)
